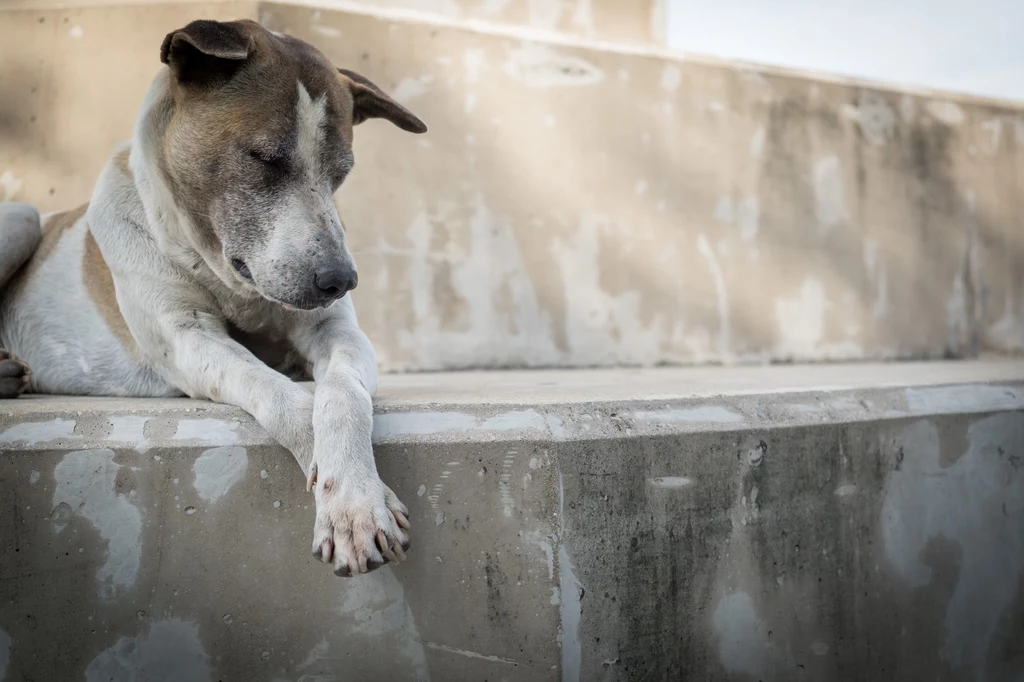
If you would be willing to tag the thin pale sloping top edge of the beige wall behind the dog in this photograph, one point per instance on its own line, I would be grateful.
(528, 34)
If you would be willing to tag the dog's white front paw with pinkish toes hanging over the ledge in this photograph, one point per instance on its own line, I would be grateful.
(361, 524)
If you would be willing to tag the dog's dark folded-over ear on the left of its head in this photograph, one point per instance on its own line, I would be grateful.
(206, 52)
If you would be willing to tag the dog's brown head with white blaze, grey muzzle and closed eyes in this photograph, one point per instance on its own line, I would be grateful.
(258, 141)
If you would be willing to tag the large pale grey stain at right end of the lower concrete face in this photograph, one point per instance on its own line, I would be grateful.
(925, 501)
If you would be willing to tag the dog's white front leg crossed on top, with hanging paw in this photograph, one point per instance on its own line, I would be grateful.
(361, 524)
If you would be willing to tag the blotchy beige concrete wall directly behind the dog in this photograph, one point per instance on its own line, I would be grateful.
(581, 205)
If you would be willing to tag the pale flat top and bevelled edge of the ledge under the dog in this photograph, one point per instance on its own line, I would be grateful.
(550, 406)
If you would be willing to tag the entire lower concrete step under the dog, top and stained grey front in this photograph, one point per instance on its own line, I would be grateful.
(862, 523)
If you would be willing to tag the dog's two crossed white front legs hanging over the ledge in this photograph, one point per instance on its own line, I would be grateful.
(359, 520)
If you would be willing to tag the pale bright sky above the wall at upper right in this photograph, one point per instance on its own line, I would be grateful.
(974, 47)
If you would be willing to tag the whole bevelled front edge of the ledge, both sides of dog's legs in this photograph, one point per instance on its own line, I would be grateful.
(209, 425)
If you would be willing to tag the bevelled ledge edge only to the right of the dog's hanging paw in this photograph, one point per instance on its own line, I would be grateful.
(645, 418)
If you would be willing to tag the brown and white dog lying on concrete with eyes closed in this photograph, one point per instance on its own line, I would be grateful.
(211, 262)
